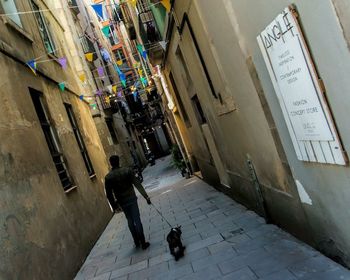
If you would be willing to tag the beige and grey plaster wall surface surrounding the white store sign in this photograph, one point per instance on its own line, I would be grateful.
(226, 32)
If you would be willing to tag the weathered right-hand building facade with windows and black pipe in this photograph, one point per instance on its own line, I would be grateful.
(232, 123)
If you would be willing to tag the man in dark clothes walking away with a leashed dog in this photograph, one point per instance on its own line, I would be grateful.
(119, 184)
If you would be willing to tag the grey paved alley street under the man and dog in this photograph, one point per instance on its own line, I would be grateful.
(224, 240)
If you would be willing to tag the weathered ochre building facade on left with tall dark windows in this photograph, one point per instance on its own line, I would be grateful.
(52, 164)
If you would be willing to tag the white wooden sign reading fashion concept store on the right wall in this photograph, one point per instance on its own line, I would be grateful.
(296, 84)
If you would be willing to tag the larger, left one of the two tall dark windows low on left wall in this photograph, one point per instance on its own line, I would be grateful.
(51, 139)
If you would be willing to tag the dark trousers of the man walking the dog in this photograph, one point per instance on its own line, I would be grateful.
(132, 214)
